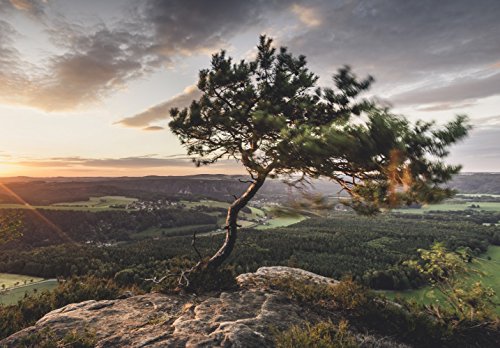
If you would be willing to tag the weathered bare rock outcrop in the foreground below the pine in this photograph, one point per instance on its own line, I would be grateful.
(245, 317)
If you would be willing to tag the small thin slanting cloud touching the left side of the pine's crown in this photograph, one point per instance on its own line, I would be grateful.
(161, 111)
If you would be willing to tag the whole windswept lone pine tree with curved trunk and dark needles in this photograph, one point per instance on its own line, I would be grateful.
(269, 115)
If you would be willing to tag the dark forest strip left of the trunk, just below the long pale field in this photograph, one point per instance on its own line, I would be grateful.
(82, 226)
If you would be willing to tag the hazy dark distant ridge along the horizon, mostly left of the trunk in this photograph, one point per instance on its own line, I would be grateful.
(45, 191)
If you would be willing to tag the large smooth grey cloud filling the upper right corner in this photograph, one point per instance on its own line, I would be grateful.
(402, 41)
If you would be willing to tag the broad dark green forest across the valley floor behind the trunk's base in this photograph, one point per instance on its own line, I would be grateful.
(369, 248)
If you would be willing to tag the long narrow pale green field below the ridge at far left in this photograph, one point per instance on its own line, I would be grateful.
(94, 204)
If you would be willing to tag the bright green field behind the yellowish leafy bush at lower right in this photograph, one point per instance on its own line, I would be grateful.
(491, 278)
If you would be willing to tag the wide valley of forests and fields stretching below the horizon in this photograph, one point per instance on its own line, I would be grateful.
(127, 238)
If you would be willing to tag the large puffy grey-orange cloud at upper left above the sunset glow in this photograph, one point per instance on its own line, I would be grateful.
(94, 65)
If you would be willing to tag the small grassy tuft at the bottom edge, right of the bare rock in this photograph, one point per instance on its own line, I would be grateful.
(321, 335)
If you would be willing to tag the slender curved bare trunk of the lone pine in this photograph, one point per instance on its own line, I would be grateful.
(231, 224)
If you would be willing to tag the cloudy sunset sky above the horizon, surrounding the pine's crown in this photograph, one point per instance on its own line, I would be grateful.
(86, 85)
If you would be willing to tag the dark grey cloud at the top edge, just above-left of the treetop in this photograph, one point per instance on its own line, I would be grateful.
(190, 26)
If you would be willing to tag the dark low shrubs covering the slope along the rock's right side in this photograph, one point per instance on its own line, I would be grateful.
(407, 322)
